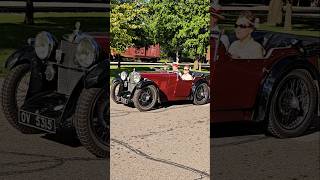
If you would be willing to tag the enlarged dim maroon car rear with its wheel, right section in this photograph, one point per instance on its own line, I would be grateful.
(281, 89)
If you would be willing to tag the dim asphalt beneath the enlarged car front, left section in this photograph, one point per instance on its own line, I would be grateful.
(46, 157)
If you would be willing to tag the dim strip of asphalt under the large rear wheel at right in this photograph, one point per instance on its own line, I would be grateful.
(242, 151)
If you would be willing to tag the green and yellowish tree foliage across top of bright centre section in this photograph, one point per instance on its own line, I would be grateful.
(178, 26)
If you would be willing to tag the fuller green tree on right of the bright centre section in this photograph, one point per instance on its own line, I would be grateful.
(181, 27)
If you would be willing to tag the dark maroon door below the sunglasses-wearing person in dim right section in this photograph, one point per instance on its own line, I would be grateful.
(236, 82)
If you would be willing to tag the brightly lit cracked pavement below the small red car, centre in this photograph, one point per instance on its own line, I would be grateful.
(168, 143)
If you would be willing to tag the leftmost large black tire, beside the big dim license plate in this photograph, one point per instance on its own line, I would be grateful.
(9, 100)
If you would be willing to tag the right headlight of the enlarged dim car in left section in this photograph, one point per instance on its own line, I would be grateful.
(87, 52)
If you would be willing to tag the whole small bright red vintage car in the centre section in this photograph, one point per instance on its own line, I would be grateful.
(146, 89)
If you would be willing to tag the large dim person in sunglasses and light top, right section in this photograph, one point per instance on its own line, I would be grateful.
(245, 47)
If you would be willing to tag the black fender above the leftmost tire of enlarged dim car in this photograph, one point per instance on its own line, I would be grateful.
(20, 56)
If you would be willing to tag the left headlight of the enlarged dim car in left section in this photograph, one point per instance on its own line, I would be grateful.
(51, 44)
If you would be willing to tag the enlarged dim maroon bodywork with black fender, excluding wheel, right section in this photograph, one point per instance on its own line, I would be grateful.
(241, 88)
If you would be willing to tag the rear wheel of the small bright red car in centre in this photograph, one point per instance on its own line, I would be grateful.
(201, 95)
